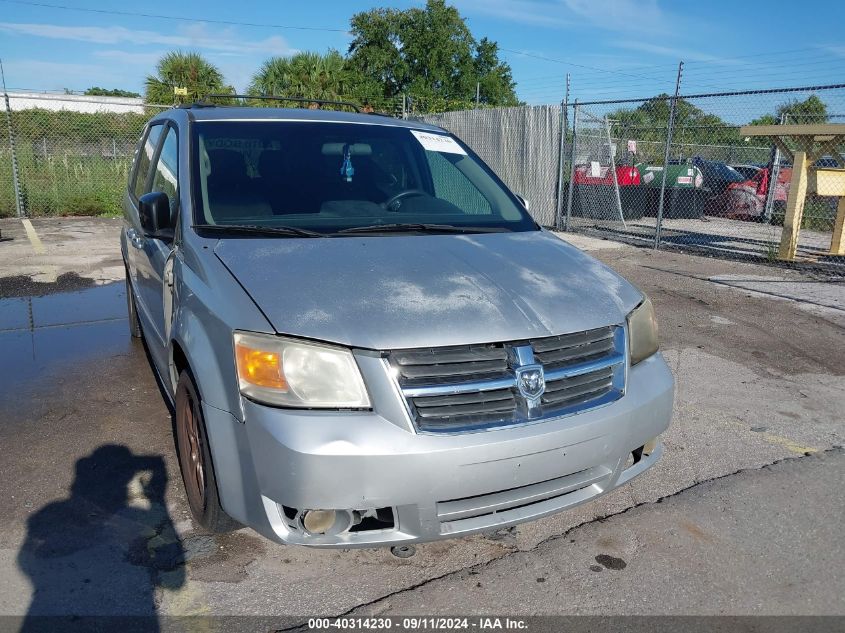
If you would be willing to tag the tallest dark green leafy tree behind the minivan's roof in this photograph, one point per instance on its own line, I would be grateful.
(431, 54)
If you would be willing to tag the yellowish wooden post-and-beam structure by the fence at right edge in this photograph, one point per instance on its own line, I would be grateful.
(804, 145)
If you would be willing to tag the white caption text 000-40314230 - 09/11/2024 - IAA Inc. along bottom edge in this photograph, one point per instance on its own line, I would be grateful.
(430, 623)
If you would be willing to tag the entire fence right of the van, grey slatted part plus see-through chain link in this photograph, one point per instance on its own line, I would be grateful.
(620, 170)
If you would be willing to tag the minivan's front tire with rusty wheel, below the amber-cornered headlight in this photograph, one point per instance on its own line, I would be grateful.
(195, 460)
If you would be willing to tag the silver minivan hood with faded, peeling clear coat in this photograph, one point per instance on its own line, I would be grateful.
(403, 291)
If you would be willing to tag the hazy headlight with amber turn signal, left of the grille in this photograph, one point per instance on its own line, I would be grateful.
(292, 373)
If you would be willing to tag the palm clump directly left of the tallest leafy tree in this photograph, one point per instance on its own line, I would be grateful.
(306, 75)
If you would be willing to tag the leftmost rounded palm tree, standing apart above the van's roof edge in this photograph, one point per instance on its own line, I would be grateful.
(184, 70)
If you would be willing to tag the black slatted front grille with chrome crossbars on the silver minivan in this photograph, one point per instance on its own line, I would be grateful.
(464, 388)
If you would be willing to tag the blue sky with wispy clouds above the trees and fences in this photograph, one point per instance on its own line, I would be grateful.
(611, 48)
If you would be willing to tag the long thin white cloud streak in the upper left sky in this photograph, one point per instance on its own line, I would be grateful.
(196, 35)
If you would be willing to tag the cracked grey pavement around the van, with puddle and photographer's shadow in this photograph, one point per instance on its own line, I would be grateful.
(757, 355)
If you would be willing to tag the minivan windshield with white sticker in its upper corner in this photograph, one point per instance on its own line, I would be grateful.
(331, 177)
